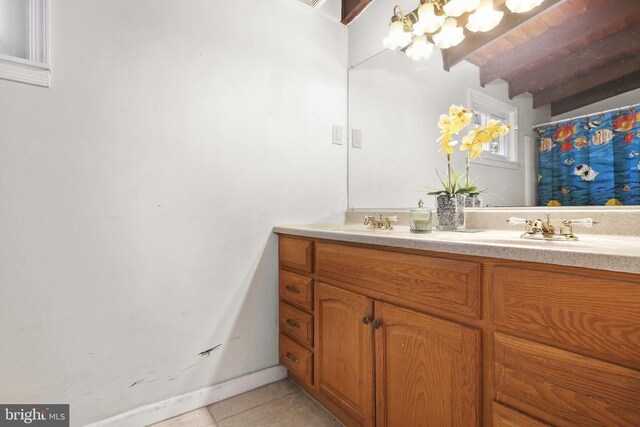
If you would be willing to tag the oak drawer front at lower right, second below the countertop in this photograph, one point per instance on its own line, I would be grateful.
(564, 388)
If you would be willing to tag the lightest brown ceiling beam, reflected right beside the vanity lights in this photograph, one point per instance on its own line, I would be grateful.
(476, 41)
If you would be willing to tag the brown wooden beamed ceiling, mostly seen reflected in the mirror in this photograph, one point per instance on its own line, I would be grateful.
(567, 53)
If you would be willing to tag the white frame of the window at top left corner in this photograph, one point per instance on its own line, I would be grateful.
(35, 70)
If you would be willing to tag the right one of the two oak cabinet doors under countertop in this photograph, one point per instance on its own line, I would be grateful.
(427, 370)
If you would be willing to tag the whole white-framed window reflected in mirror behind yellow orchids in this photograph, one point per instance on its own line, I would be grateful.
(502, 152)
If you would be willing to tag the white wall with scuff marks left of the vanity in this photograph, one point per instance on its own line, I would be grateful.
(137, 195)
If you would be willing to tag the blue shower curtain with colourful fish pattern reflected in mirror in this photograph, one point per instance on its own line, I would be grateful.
(590, 161)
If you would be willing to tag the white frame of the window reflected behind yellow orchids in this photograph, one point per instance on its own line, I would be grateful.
(479, 101)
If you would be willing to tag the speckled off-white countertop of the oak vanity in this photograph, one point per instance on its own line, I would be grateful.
(603, 252)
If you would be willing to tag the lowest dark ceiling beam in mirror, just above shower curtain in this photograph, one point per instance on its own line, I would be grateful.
(625, 84)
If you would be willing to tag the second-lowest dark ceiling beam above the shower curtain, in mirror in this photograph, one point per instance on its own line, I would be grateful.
(576, 84)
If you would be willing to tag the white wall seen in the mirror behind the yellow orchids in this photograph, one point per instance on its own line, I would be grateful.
(396, 103)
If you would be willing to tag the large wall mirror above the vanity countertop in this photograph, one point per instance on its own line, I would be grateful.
(536, 72)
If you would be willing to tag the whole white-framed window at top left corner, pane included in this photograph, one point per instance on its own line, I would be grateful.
(24, 42)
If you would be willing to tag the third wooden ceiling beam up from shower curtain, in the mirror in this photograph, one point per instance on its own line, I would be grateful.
(617, 46)
